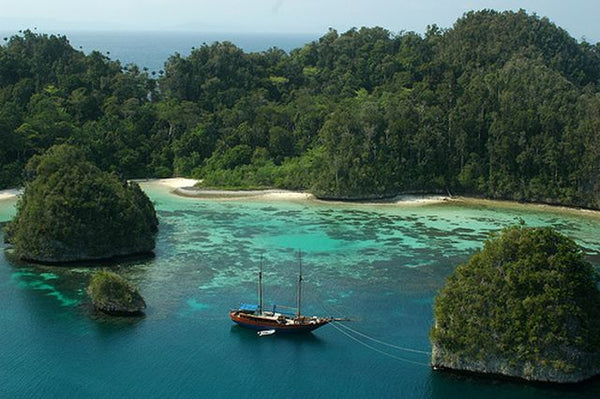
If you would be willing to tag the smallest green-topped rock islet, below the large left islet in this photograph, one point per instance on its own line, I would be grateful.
(112, 294)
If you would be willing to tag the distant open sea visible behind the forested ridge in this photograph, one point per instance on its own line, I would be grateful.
(151, 49)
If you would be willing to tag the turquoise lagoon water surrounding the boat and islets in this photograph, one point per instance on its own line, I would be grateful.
(380, 265)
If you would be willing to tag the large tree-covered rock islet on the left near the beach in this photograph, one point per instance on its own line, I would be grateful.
(72, 211)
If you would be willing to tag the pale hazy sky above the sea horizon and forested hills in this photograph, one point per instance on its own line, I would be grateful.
(578, 17)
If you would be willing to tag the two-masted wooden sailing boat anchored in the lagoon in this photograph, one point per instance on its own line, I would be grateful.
(255, 317)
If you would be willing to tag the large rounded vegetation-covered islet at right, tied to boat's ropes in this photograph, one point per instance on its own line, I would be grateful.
(526, 306)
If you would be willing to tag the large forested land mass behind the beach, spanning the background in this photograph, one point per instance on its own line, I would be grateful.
(501, 105)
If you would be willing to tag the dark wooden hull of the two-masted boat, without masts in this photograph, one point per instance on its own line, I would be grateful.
(261, 323)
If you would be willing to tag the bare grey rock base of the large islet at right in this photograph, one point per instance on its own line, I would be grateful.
(588, 367)
